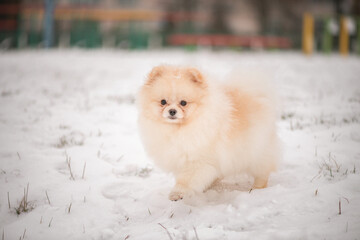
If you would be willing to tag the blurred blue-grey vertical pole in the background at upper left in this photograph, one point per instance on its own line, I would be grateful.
(49, 23)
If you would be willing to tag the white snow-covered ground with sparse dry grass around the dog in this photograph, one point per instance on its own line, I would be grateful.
(76, 108)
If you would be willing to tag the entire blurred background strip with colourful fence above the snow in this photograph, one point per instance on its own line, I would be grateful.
(311, 25)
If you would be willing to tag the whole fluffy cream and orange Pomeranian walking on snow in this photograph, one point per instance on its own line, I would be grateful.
(202, 131)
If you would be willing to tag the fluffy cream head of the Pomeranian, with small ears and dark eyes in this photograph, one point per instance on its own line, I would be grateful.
(173, 95)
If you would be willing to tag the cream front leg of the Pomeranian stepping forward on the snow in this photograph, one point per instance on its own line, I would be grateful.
(193, 177)
